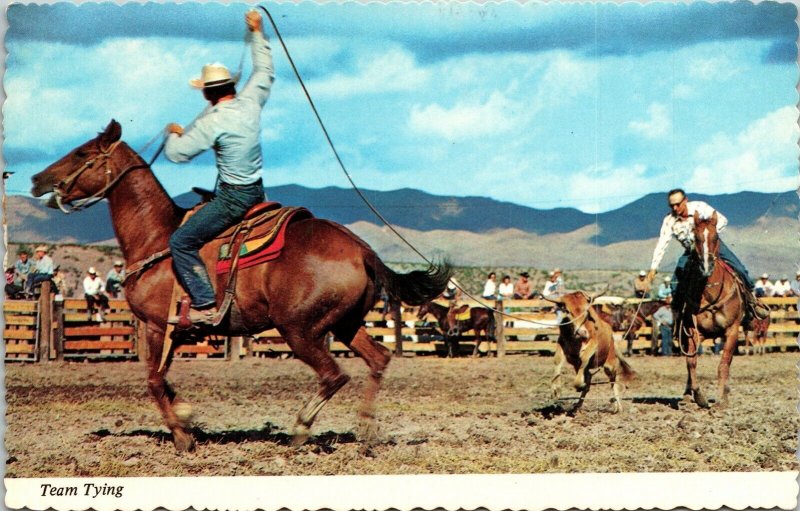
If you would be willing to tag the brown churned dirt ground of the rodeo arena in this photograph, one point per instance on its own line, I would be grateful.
(435, 415)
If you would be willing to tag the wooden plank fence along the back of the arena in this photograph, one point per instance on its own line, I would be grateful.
(49, 330)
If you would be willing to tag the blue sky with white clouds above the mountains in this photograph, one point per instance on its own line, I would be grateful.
(546, 105)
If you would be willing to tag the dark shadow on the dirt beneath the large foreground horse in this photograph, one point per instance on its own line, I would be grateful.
(326, 441)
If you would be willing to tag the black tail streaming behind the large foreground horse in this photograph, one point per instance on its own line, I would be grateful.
(413, 288)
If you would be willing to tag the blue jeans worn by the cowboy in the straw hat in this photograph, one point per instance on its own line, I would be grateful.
(226, 209)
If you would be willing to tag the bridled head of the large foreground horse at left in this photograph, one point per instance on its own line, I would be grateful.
(82, 173)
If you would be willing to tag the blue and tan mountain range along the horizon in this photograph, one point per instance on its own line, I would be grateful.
(508, 233)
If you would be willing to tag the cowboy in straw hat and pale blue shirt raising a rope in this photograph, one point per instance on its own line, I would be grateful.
(231, 126)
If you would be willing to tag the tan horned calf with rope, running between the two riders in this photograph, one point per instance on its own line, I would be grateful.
(586, 341)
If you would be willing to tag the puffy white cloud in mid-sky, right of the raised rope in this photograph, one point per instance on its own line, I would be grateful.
(465, 121)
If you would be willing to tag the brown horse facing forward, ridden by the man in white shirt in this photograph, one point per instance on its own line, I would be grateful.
(713, 306)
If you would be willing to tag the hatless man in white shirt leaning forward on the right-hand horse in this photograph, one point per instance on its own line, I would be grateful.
(679, 224)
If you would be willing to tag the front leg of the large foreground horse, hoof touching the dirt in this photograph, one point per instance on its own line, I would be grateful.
(174, 412)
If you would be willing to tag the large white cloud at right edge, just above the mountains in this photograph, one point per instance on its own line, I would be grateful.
(762, 157)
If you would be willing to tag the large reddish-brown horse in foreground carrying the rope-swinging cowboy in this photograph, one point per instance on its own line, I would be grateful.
(326, 280)
